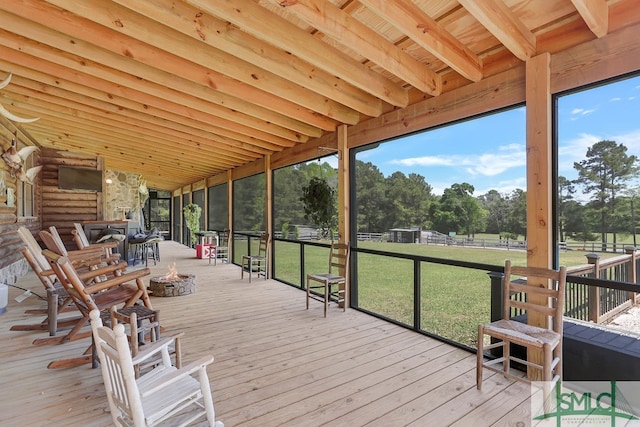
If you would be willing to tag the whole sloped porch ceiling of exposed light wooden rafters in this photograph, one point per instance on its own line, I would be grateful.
(178, 91)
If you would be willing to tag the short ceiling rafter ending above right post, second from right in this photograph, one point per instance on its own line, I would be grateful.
(498, 19)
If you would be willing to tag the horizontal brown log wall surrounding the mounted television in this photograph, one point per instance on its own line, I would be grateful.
(61, 208)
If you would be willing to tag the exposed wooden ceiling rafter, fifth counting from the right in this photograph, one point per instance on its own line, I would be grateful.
(252, 18)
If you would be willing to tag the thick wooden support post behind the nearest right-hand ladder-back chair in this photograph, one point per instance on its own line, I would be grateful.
(539, 181)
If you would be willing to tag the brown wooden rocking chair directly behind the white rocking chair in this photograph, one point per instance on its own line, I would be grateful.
(124, 289)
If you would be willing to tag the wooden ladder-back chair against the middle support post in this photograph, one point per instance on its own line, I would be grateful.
(336, 277)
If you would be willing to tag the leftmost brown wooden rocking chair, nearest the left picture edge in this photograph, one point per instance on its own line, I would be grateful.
(58, 300)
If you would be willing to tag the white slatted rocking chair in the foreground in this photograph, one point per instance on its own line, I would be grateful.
(163, 393)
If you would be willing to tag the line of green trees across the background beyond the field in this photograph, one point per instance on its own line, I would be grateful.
(401, 201)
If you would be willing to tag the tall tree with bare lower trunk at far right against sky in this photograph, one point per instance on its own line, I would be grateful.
(605, 173)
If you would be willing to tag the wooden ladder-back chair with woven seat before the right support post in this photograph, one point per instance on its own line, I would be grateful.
(548, 303)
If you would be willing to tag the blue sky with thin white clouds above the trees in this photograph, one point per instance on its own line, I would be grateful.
(489, 153)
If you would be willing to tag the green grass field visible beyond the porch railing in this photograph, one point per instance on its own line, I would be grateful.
(453, 300)
